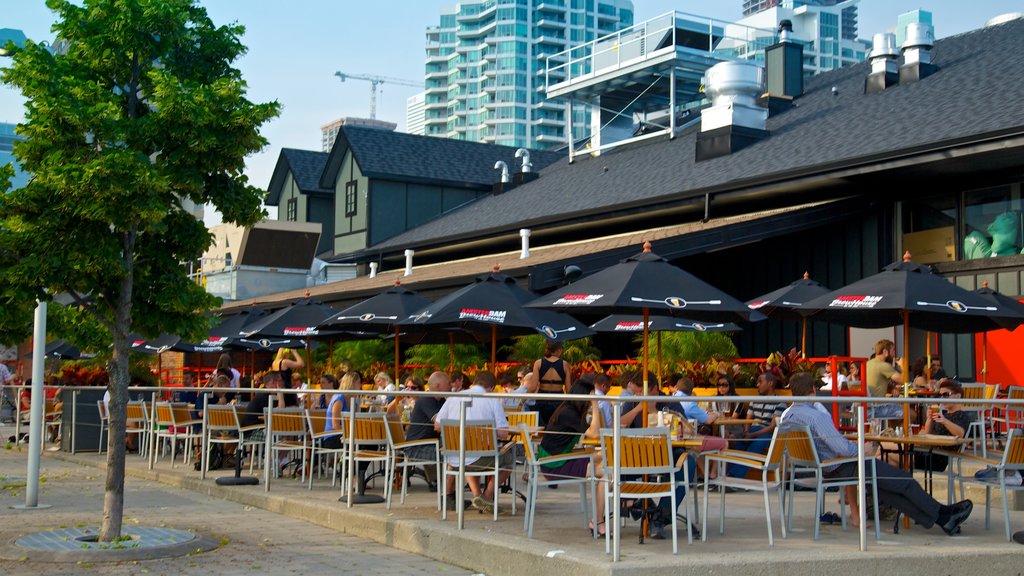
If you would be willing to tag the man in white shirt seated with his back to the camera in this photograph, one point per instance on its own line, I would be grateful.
(480, 408)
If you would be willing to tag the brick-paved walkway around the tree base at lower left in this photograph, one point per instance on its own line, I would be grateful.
(253, 541)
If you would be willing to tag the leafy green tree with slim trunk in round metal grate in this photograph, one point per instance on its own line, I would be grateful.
(143, 112)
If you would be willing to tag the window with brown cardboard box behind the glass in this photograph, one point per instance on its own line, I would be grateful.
(930, 229)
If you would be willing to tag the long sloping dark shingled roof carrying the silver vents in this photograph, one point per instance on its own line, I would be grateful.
(974, 97)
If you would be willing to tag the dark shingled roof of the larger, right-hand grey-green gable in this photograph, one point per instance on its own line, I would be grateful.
(385, 154)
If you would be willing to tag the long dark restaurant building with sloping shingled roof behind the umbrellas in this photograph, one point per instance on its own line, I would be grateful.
(836, 176)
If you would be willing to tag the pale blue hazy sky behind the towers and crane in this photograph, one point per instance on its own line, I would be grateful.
(295, 49)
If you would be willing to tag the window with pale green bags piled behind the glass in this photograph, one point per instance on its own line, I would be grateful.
(993, 223)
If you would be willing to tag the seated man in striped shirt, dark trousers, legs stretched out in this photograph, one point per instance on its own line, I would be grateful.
(897, 488)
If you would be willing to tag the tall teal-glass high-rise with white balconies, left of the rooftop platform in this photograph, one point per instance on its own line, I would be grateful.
(486, 66)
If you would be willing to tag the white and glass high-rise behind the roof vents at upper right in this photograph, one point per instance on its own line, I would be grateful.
(827, 28)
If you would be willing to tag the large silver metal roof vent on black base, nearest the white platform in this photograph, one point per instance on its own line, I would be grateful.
(735, 119)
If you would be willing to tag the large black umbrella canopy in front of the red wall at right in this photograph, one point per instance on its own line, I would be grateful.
(909, 294)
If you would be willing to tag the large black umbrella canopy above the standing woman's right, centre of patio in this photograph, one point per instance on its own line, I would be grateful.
(647, 281)
